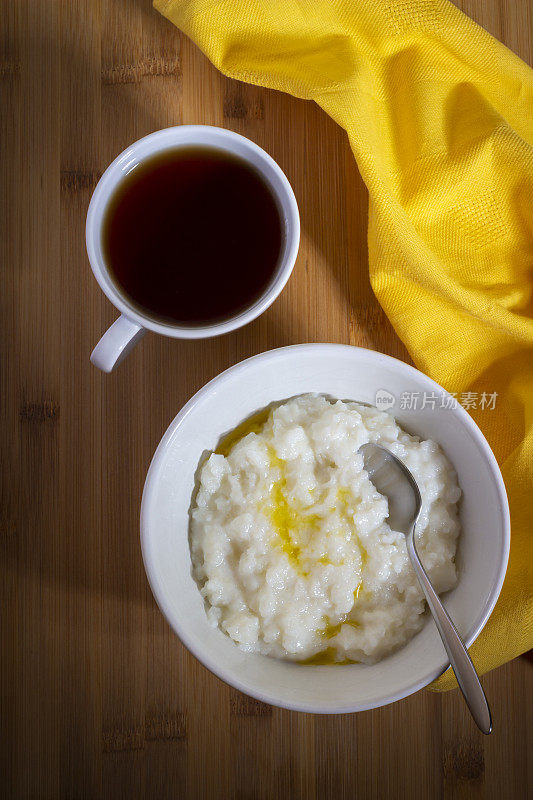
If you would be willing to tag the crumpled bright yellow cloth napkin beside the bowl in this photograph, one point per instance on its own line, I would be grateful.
(440, 119)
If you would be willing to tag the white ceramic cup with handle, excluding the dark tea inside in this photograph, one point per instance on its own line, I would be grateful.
(120, 338)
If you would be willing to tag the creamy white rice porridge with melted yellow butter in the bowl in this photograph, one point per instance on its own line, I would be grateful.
(290, 542)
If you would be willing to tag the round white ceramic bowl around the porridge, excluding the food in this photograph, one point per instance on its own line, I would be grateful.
(346, 373)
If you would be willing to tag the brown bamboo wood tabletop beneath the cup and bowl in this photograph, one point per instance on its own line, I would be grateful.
(99, 698)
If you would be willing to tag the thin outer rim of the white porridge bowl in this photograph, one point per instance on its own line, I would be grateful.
(149, 490)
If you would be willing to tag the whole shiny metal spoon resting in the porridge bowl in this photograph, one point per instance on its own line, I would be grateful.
(392, 478)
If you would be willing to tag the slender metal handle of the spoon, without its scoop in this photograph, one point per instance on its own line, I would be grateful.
(462, 665)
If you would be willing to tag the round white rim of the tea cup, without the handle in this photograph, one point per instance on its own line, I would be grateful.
(167, 138)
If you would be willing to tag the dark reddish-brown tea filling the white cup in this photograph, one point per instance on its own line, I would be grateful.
(193, 236)
